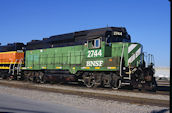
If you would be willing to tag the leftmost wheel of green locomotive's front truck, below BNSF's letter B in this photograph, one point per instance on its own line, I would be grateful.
(89, 80)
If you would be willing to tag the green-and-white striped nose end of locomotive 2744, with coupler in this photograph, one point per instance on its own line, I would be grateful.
(140, 72)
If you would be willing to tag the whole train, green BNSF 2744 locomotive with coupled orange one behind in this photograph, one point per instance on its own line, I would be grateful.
(97, 57)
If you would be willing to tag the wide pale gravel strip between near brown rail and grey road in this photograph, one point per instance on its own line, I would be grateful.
(91, 104)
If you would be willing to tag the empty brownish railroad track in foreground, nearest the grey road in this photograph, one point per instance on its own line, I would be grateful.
(100, 93)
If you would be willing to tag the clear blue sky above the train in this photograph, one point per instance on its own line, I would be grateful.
(147, 21)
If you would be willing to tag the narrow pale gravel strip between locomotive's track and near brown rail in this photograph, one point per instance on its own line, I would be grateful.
(87, 90)
